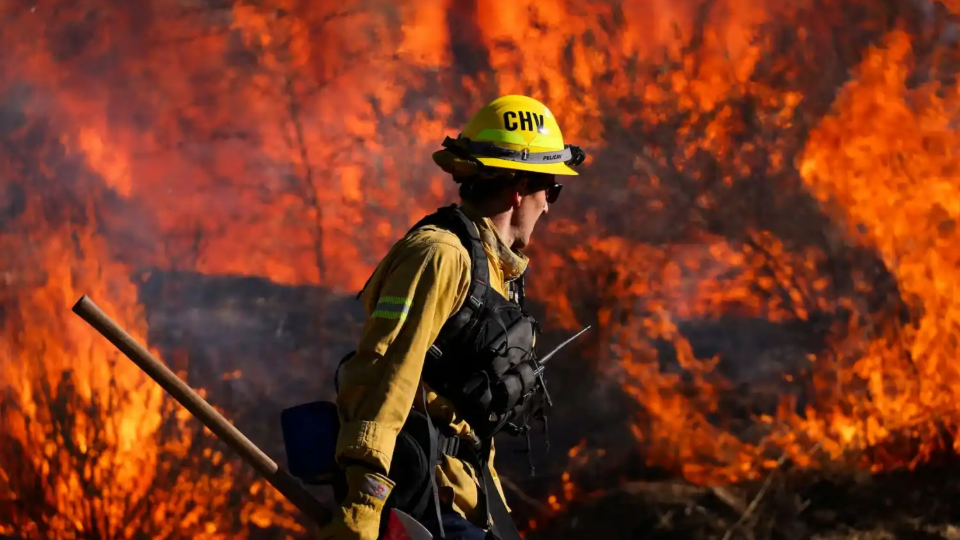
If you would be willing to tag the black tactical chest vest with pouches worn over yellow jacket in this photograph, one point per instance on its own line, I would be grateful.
(483, 360)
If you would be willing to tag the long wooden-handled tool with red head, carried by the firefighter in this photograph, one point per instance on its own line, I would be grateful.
(401, 526)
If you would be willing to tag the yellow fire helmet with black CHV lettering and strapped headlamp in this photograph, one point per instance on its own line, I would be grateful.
(516, 133)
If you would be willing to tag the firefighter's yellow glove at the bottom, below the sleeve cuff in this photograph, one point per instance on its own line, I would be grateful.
(358, 517)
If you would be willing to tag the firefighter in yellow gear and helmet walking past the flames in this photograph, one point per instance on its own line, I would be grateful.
(420, 301)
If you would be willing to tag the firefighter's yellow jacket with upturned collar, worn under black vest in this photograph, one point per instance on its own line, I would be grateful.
(423, 280)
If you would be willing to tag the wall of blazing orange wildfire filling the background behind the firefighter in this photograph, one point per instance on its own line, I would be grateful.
(764, 236)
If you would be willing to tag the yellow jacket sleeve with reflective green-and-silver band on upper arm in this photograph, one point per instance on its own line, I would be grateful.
(424, 284)
